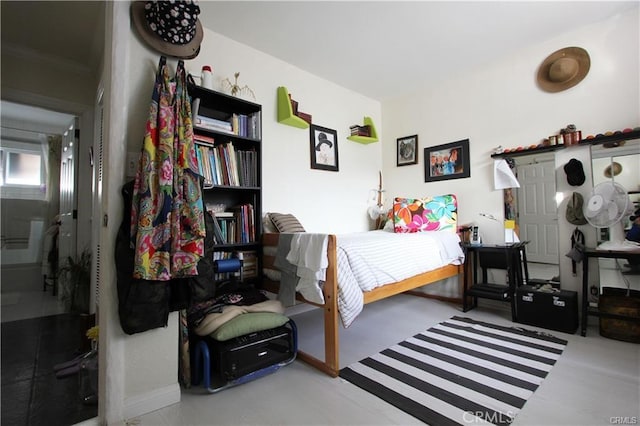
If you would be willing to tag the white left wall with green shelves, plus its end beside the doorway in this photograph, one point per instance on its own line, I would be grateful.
(323, 201)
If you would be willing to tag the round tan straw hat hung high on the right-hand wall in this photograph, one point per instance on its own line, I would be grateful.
(563, 69)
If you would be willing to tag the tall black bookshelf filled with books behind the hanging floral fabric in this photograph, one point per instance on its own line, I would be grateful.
(228, 137)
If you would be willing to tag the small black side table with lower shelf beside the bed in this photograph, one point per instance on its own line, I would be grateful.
(510, 257)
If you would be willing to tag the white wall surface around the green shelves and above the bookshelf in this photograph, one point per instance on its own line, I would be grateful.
(322, 200)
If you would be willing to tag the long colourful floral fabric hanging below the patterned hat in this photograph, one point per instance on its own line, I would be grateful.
(167, 216)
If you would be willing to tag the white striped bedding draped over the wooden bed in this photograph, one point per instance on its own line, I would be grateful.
(367, 260)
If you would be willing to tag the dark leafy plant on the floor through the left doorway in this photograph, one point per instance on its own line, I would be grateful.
(75, 277)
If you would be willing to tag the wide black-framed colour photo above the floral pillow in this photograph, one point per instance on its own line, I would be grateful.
(448, 161)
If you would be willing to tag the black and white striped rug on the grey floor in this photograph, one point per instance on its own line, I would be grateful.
(460, 371)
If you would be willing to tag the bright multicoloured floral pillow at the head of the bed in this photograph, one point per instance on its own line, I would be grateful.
(425, 214)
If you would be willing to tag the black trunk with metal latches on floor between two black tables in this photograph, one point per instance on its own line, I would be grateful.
(553, 310)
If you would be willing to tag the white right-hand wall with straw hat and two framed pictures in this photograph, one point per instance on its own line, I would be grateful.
(501, 105)
